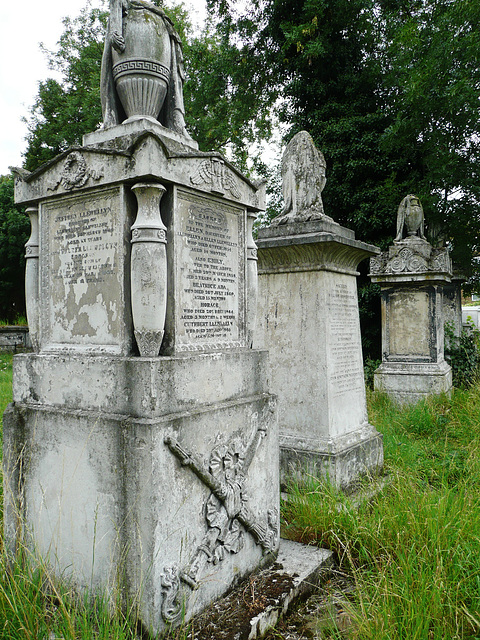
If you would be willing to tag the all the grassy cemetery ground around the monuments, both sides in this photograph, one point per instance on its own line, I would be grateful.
(408, 559)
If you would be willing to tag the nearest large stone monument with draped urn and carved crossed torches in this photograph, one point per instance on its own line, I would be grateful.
(141, 449)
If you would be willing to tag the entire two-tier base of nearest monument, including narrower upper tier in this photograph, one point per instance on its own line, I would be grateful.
(137, 482)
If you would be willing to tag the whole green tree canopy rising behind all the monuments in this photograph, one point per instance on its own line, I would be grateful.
(389, 90)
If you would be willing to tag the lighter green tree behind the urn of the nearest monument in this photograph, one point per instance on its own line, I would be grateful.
(226, 95)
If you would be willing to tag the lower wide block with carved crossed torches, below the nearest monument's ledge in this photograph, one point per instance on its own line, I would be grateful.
(101, 495)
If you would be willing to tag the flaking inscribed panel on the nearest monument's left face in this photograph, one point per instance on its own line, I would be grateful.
(83, 271)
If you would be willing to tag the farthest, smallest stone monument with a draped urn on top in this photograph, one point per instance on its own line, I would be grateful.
(413, 277)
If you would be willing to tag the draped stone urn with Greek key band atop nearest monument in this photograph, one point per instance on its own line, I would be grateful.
(142, 67)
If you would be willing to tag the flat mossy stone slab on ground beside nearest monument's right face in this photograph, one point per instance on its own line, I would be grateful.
(257, 604)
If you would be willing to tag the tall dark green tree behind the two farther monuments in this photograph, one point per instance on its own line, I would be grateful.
(389, 91)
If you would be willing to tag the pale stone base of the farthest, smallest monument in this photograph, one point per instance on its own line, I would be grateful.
(409, 382)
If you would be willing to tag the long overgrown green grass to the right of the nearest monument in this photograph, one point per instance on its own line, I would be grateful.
(414, 550)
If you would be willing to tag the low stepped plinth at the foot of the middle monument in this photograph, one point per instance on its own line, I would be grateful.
(343, 460)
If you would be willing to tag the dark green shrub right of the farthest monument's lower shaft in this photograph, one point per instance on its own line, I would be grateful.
(463, 354)
